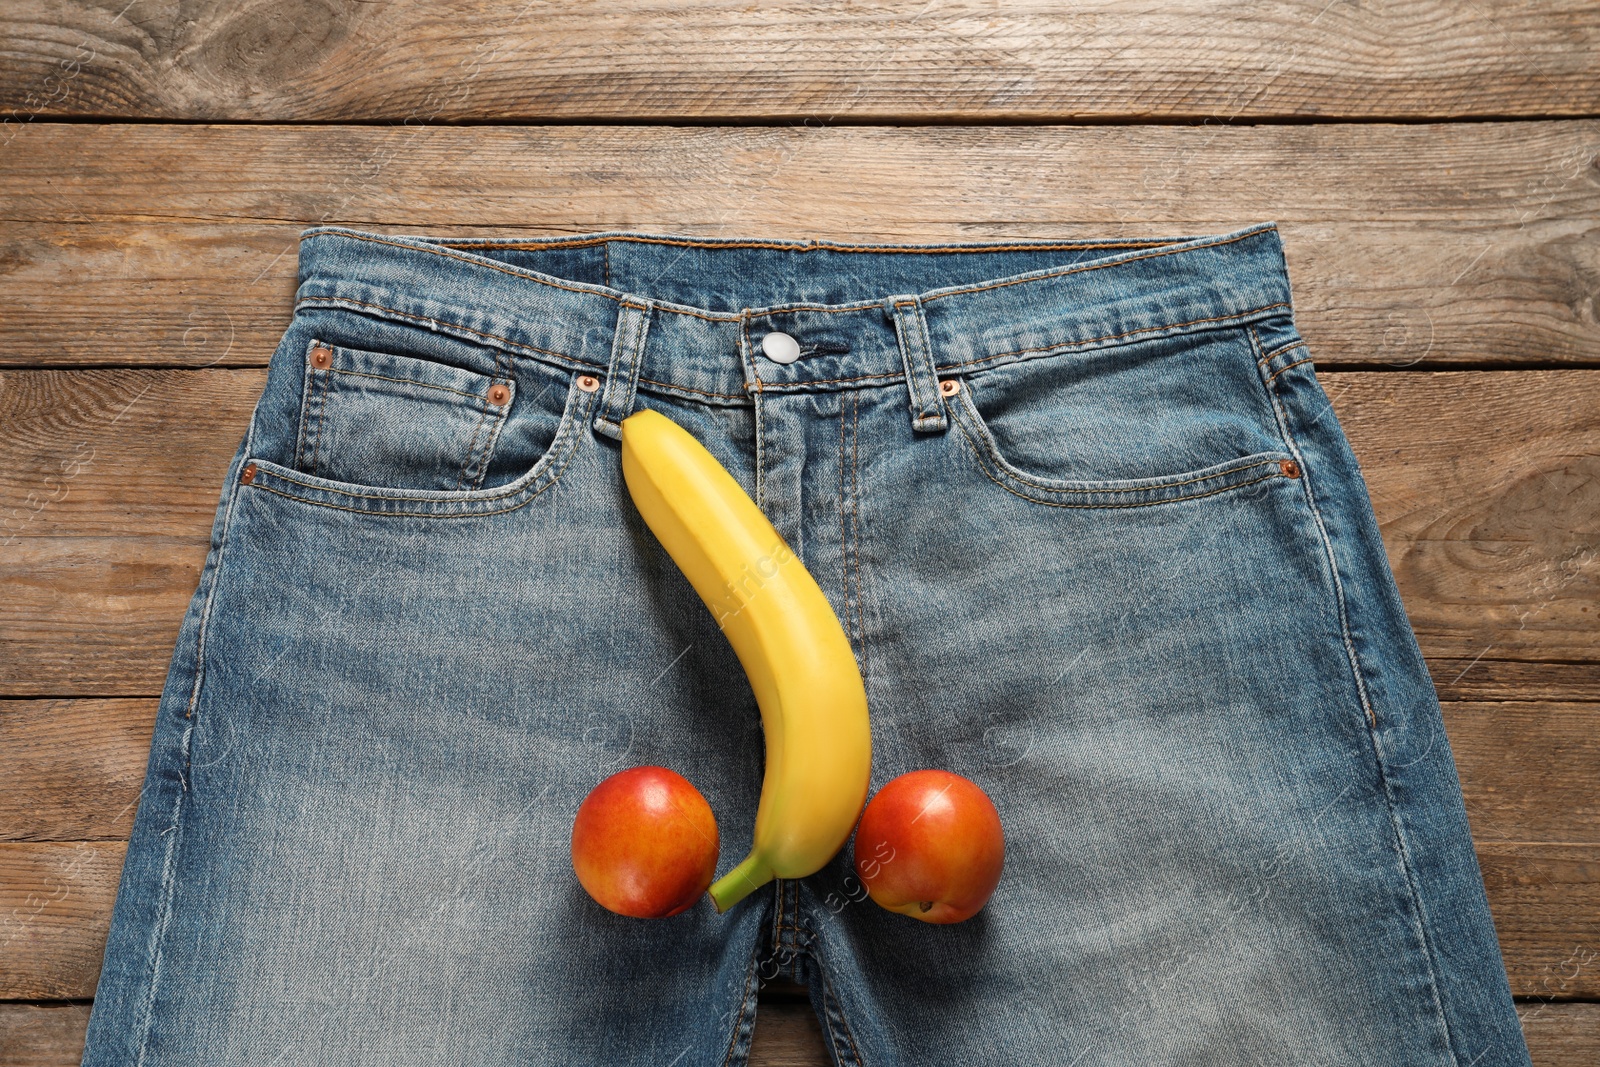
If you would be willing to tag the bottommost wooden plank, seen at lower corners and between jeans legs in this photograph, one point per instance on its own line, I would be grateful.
(788, 1034)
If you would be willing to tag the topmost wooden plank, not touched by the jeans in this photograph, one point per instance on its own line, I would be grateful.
(966, 62)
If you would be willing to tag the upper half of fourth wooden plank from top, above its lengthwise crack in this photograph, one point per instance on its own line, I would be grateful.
(74, 769)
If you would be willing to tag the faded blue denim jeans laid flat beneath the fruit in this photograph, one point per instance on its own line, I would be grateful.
(1097, 540)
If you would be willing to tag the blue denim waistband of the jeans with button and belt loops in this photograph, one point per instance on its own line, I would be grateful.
(687, 314)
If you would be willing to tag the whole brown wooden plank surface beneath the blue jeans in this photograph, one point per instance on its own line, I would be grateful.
(1434, 167)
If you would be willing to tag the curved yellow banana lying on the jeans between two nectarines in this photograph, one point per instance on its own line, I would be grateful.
(785, 634)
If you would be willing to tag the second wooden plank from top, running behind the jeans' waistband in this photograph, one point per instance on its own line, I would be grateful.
(1409, 246)
